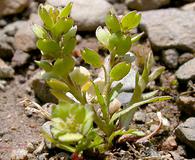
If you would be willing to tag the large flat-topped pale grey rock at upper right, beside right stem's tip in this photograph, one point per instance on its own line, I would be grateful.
(170, 28)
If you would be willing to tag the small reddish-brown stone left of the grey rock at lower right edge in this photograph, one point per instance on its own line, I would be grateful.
(169, 144)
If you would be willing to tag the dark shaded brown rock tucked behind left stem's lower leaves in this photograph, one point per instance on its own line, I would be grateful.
(42, 90)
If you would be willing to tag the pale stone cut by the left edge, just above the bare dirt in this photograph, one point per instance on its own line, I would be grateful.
(5, 70)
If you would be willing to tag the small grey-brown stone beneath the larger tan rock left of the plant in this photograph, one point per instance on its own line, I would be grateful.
(20, 58)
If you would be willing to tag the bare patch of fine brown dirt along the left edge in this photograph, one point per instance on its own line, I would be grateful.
(16, 129)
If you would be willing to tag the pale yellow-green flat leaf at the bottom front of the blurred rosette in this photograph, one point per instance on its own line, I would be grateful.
(70, 137)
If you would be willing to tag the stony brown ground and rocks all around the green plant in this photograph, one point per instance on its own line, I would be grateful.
(169, 27)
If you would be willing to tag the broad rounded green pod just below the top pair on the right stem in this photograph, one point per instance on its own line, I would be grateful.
(119, 44)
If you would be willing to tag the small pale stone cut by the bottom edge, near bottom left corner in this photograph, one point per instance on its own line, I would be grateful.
(19, 154)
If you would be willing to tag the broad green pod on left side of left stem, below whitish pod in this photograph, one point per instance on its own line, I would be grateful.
(48, 47)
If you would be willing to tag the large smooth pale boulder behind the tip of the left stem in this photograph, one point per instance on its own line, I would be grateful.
(88, 15)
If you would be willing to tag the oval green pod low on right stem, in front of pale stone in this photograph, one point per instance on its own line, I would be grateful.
(119, 71)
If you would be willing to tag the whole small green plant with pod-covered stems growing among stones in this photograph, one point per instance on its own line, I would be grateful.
(84, 101)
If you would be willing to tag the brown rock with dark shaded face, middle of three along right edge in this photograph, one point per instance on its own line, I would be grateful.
(187, 104)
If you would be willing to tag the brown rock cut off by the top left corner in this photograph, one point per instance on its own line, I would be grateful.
(9, 7)
